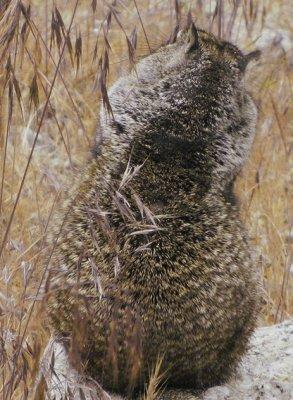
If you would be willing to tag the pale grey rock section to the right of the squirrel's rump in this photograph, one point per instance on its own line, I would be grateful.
(266, 372)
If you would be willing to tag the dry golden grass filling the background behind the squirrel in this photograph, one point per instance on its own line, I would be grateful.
(55, 64)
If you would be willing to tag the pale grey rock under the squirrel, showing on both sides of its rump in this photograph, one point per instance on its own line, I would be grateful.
(266, 372)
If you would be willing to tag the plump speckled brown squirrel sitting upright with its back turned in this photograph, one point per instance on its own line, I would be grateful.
(153, 261)
